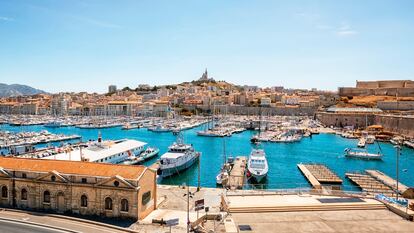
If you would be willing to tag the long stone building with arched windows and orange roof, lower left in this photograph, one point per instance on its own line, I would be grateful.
(78, 187)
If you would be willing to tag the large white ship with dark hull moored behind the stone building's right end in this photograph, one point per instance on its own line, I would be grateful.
(179, 157)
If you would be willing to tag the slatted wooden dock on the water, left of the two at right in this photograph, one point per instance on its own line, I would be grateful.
(318, 174)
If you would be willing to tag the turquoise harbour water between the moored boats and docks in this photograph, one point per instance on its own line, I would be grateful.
(282, 158)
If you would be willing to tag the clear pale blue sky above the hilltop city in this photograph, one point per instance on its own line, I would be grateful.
(82, 45)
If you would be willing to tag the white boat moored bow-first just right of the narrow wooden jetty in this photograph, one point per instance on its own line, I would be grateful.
(257, 164)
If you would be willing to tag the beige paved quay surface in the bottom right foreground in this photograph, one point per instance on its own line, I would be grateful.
(364, 221)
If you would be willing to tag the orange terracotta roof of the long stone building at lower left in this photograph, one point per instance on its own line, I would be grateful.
(72, 167)
